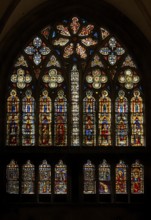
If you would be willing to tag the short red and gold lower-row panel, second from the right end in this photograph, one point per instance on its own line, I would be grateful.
(121, 178)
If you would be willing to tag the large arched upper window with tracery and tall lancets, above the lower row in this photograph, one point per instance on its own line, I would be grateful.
(75, 63)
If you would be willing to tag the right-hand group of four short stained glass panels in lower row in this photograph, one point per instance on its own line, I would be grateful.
(121, 178)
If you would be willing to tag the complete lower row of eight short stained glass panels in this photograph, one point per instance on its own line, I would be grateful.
(60, 180)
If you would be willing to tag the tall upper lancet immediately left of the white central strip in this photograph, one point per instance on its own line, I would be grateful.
(60, 127)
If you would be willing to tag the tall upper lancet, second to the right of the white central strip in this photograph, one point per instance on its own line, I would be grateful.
(104, 121)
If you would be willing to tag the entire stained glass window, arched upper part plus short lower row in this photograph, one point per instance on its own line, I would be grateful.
(75, 84)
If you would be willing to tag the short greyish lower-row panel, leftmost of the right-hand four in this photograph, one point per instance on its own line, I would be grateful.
(89, 178)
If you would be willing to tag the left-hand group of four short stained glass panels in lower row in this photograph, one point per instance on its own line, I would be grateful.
(44, 178)
